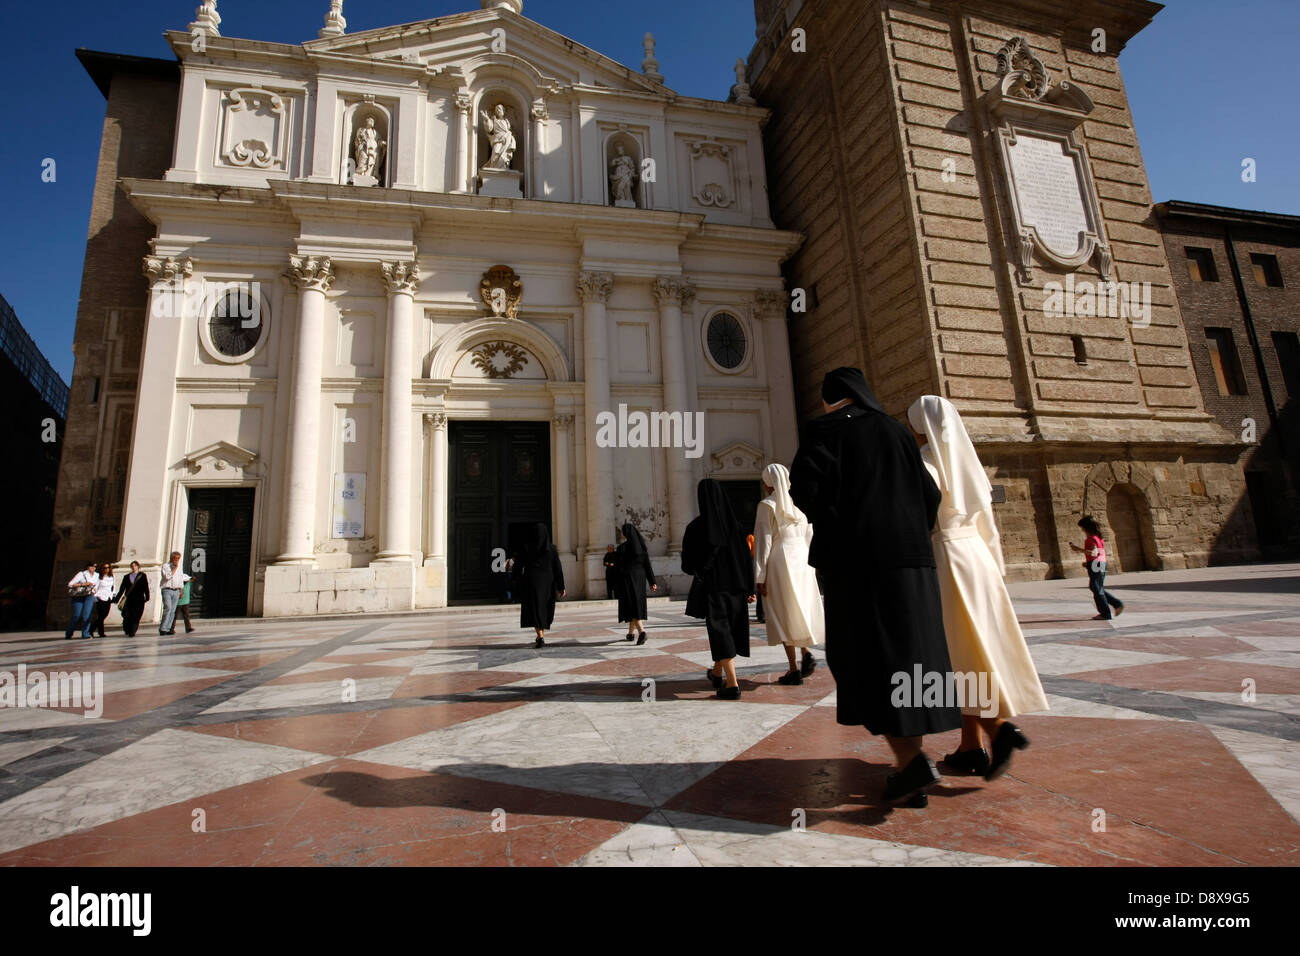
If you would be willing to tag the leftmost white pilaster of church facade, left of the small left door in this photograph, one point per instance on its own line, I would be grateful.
(145, 507)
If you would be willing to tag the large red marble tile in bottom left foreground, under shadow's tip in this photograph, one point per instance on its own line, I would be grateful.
(350, 814)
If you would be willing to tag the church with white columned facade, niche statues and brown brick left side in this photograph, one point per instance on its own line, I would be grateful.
(406, 292)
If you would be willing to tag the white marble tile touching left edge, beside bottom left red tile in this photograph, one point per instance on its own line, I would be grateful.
(166, 768)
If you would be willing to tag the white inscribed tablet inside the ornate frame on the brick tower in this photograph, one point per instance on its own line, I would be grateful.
(1048, 193)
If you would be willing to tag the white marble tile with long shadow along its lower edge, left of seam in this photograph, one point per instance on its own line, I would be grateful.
(551, 746)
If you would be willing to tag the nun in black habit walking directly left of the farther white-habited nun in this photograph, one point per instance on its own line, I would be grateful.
(714, 551)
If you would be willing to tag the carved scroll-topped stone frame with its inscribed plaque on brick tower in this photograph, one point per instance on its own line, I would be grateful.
(1046, 163)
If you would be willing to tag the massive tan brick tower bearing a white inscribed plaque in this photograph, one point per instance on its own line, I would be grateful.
(980, 226)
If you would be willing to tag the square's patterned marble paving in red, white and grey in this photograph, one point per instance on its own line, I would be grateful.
(443, 738)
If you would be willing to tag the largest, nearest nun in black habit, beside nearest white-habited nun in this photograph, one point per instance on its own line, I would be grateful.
(860, 479)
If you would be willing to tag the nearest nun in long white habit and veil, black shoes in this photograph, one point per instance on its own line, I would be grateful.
(985, 639)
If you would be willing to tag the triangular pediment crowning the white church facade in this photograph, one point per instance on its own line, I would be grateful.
(471, 42)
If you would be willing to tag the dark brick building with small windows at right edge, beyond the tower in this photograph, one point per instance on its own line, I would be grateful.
(1237, 275)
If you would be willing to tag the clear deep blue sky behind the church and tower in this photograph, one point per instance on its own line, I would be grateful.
(1210, 84)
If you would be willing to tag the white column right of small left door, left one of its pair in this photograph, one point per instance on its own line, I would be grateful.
(313, 276)
